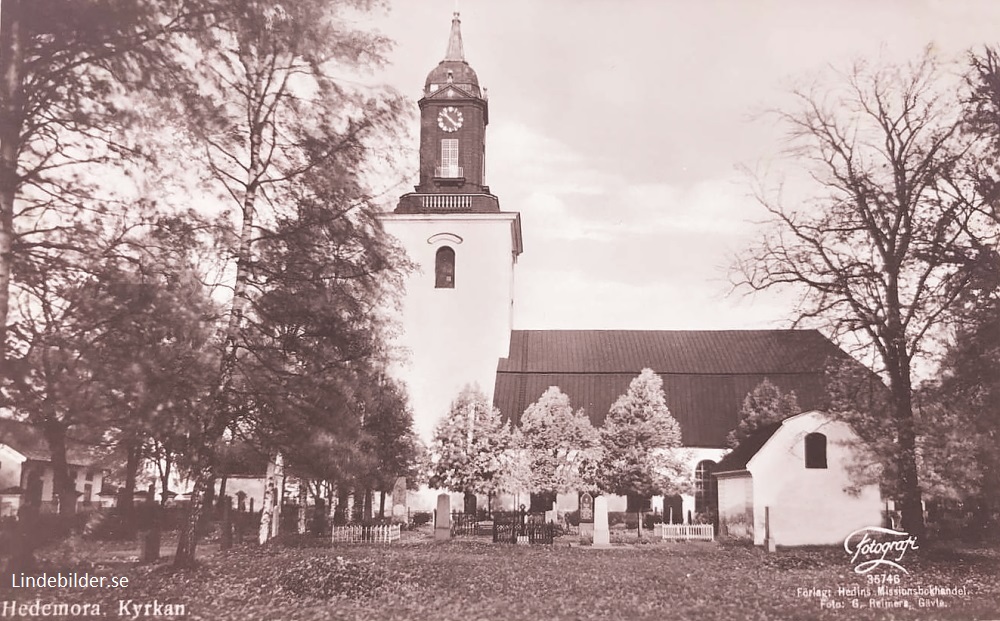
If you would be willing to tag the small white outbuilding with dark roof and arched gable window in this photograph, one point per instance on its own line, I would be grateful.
(791, 482)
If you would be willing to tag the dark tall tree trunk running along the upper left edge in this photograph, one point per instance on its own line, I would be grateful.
(12, 37)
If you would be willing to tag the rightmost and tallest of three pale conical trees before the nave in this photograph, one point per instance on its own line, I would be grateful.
(641, 439)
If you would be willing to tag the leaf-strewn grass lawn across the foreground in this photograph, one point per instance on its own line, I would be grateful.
(469, 580)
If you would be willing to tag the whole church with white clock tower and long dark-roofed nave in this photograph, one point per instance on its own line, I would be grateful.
(458, 313)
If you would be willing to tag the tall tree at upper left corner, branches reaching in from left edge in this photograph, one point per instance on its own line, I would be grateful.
(65, 67)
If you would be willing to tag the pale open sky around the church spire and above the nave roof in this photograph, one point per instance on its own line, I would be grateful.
(622, 131)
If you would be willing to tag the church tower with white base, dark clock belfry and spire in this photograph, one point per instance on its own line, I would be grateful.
(458, 308)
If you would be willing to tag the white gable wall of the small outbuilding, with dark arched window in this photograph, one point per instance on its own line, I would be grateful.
(809, 506)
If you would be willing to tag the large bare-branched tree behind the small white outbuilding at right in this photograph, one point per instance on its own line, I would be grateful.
(879, 252)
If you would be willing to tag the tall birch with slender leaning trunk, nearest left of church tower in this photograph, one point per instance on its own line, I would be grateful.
(272, 121)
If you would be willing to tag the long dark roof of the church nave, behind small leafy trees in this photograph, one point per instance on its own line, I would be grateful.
(706, 374)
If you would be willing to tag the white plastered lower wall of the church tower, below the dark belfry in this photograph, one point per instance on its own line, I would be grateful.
(453, 336)
